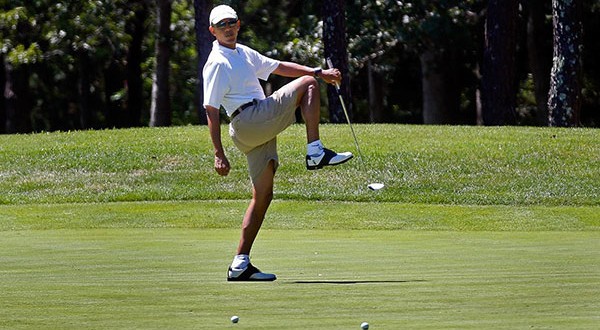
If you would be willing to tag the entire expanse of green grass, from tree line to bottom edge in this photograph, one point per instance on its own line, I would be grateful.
(477, 228)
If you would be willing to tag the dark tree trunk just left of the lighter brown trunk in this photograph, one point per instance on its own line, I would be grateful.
(135, 89)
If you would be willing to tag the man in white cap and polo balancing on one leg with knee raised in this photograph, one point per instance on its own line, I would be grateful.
(231, 76)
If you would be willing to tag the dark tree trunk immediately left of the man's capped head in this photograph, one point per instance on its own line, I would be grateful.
(204, 41)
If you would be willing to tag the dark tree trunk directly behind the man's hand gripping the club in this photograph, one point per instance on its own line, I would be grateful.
(335, 44)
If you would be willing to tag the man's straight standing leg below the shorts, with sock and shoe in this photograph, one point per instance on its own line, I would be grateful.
(262, 194)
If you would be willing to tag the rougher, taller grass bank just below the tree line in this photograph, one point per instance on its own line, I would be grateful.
(439, 165)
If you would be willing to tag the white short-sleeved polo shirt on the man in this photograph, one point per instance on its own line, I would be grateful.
(231, 76)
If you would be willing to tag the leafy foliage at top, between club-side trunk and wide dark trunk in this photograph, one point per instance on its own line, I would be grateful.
(377, 27)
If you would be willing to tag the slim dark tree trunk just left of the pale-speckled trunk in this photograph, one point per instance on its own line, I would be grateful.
(540, 61)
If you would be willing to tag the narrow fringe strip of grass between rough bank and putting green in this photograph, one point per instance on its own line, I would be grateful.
(293, 215)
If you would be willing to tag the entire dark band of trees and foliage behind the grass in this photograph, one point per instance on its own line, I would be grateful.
(79, 65)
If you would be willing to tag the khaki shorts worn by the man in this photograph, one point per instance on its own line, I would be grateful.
(254, 131)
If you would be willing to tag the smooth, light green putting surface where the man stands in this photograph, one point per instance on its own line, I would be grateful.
(328, 279)
